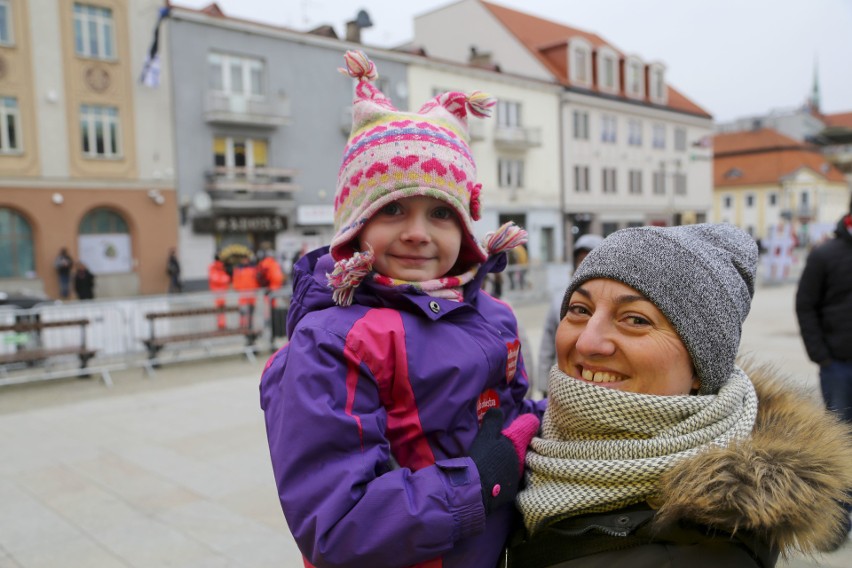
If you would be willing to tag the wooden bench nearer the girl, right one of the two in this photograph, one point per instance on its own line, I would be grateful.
(155, 343)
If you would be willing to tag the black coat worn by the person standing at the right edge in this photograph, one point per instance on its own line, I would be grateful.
(824, 299)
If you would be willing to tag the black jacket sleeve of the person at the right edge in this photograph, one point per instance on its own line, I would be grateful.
(808, 304)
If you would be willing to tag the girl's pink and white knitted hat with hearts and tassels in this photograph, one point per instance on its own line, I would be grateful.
(391, 155)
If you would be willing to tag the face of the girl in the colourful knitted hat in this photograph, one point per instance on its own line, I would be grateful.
(414, 239)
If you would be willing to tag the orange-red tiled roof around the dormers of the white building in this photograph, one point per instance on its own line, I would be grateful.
(548, 41)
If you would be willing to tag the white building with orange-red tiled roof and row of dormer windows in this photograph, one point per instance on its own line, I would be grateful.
(634, 150)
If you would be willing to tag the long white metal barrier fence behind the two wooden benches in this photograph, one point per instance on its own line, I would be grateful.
(116, 330)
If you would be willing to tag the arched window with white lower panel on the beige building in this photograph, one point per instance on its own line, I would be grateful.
(104, 242)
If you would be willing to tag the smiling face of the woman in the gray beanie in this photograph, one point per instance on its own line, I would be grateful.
(614, 337)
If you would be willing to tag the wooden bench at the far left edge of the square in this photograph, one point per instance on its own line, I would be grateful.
(30, 351)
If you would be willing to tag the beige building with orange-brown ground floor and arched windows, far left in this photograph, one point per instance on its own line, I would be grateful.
(86, 151)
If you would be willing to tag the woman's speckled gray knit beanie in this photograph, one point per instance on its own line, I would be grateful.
(700, 276)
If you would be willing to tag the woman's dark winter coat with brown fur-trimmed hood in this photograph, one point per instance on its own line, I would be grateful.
(737, 506)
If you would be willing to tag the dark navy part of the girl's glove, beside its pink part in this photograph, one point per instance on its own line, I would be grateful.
(497, 461)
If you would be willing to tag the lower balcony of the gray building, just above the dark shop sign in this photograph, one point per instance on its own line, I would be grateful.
(252, 187)
